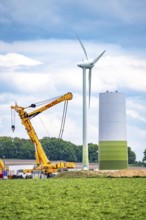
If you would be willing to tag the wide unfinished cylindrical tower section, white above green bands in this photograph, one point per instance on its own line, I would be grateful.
(113, 154)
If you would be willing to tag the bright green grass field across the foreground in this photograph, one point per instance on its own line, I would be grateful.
(78, 198)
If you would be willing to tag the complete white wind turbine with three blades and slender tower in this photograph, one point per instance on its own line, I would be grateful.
(87, 64)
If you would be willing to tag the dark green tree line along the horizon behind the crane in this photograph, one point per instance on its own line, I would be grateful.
(55, 149)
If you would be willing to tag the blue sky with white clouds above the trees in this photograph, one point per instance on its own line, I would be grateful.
(39, 53)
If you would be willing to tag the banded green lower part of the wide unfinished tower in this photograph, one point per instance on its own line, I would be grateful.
(113, 155)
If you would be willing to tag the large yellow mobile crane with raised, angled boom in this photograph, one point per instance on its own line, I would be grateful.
(43, 164)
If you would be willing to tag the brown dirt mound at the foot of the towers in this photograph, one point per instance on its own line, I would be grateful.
(102, 173)
